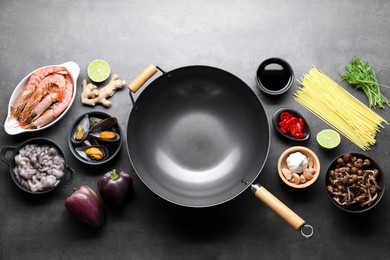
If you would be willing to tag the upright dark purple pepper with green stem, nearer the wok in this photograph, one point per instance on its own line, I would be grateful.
(115, 188)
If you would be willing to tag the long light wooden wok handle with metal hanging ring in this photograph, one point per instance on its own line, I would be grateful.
(282, 210)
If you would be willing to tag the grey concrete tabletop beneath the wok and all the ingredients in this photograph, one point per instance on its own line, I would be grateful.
(232, 35)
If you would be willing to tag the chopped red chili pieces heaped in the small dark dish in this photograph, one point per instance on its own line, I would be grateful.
(291, 124)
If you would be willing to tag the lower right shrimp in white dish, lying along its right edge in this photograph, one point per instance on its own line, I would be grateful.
(55, 110)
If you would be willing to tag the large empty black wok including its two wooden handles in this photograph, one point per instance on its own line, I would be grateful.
(198, 136)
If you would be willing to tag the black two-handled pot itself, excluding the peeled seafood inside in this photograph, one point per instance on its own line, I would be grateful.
(14, 150)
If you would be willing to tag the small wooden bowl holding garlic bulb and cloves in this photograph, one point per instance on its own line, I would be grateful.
(298, 167)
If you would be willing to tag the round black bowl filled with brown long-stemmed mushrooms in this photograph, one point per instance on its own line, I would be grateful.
(354, 182)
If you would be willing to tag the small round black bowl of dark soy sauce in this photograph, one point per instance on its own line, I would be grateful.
(274, 76)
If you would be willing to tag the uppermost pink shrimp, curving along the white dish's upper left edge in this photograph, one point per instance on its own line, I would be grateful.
(34, 80)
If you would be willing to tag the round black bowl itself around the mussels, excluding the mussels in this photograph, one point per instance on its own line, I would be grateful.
(113, 147)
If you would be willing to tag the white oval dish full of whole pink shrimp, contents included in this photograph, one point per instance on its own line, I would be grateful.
(42, 98)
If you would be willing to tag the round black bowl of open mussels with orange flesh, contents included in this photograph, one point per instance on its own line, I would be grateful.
(95, 138)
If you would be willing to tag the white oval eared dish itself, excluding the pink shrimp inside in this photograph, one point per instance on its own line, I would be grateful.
(11, 125)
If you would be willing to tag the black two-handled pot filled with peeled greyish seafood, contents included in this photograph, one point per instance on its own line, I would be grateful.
(37, 165)
